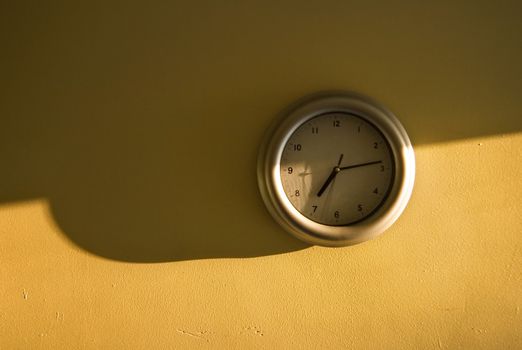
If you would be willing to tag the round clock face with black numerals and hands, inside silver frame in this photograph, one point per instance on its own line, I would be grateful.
(337, 169)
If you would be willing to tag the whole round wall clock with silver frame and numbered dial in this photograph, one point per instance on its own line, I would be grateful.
(336, 169)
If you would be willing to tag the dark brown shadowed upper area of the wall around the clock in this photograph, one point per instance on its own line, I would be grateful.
(141, 124)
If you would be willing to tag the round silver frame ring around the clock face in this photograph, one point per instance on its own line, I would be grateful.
(269, 178)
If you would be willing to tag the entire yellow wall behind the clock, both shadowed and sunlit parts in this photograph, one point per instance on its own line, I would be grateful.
(129, 212)
